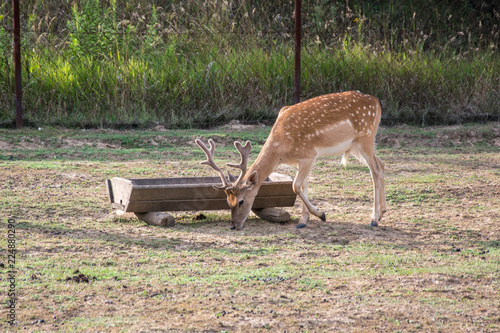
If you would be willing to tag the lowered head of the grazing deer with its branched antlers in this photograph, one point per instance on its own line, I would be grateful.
(240, 191)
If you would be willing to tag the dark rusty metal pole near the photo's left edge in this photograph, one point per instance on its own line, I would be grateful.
(17, 64)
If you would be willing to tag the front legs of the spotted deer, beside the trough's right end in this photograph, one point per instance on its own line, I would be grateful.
(300, 188)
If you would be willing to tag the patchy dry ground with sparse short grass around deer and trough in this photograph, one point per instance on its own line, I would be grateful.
(433, 265)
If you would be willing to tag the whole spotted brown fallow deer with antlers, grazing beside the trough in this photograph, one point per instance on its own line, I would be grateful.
(329, 125)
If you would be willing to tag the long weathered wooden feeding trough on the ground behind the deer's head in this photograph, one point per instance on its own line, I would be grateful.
(149, 196)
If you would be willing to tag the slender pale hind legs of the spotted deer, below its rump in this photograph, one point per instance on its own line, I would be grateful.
(365, 154)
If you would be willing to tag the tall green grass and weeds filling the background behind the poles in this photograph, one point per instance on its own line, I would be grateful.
(206, 63)
